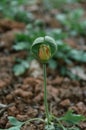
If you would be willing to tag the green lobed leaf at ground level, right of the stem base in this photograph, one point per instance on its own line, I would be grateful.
(72, 118)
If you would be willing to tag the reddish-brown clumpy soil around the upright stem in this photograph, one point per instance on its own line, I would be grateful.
(23, 95)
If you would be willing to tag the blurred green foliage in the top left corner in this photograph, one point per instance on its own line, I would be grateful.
(13, 9)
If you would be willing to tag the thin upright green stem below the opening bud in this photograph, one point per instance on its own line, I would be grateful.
(45, 94)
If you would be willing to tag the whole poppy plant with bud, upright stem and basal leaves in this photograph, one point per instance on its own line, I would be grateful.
(43, 48)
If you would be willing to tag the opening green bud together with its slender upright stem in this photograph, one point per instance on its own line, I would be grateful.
(43, 49)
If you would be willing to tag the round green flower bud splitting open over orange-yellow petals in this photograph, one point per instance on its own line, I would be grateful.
(44, 48)
